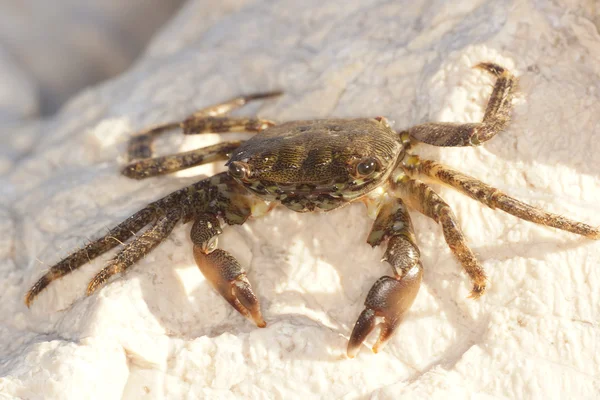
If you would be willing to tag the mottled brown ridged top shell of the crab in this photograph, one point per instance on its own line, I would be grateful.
(318, 151)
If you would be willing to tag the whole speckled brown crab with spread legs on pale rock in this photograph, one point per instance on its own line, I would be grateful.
(314, 165)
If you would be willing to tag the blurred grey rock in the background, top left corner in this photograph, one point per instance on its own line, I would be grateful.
(49, 50)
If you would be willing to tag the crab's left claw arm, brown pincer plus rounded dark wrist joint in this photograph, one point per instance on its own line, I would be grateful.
(222, 270)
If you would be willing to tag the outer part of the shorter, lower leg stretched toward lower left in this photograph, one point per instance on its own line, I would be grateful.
(137, 249)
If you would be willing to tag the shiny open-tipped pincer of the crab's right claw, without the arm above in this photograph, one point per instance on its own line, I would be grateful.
(389, 298)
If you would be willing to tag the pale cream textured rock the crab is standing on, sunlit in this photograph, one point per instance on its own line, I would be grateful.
(160, 331)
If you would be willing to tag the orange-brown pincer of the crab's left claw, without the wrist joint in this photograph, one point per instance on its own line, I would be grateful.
(228, 278)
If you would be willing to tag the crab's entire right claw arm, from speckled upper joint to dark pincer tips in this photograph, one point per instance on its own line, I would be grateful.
(390, 297)
